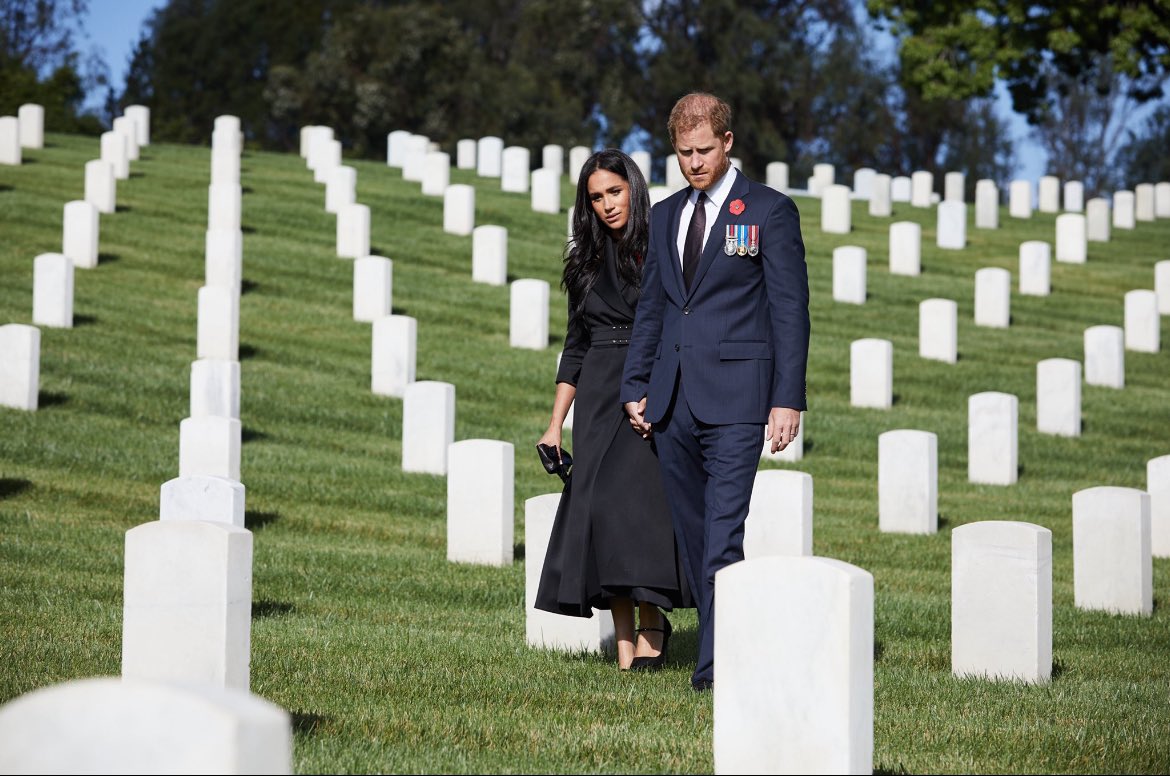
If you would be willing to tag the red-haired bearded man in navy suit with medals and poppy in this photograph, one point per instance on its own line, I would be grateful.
(719, 348)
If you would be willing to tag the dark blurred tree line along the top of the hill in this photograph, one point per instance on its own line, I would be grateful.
(808, 80)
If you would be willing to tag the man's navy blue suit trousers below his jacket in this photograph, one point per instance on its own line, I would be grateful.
(710, 472)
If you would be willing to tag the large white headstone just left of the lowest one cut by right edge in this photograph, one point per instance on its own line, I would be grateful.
(1113, 566)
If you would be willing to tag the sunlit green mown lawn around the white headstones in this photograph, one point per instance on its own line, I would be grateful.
(391, 660)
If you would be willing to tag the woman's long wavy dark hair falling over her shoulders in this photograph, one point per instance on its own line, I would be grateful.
(586, 251)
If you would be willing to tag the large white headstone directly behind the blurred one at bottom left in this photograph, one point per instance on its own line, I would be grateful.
(187, 615)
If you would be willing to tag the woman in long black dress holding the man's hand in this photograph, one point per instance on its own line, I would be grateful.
(612, 541)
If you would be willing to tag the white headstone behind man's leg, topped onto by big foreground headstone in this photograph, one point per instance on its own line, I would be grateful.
(780, 517)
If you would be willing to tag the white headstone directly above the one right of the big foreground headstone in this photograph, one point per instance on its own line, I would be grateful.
(993, 435)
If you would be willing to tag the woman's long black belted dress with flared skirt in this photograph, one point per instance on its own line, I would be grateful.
(612, 535)
